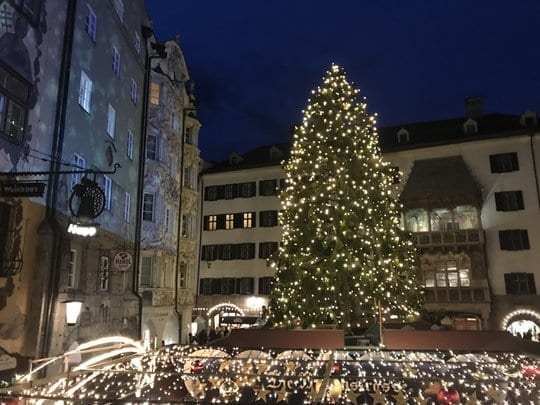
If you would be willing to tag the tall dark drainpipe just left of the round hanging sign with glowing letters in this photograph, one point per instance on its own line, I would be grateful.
(51, 293)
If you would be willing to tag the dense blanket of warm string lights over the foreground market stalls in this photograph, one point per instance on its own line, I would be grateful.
(217, 375)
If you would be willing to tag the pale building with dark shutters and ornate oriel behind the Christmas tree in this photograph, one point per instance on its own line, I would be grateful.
(469, 189)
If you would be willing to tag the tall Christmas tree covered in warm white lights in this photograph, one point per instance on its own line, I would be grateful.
(343, 257)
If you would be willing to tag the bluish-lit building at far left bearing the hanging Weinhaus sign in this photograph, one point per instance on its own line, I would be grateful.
(73, 80)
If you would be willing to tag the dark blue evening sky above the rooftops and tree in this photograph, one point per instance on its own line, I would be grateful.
(255, 62)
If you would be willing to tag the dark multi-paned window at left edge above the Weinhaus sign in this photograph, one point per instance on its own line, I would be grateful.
(13, 107)
